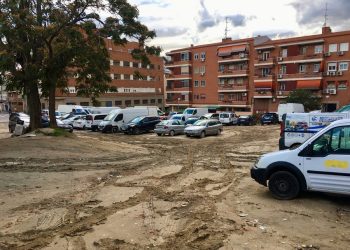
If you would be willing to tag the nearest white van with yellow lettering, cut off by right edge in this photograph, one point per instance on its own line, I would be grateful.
(322, 163)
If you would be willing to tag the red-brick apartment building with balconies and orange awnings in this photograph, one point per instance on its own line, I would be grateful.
(256, 74)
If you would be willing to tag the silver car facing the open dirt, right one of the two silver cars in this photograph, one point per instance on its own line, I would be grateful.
(202, 128)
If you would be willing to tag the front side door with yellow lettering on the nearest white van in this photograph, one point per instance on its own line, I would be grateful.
(327, 166)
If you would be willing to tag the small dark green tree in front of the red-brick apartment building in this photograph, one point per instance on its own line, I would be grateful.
(305, 97)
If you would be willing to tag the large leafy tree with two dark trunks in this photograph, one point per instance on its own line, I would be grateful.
(43, 43)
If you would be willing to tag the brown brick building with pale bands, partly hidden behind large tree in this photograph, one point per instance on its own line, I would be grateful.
(132, 90)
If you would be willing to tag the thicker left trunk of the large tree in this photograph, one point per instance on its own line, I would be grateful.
(34, 105)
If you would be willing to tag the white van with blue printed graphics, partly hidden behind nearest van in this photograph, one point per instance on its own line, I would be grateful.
(298, 127)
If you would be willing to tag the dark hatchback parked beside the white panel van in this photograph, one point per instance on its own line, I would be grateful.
(141, 124)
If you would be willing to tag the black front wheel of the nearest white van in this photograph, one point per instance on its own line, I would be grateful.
(284, 185)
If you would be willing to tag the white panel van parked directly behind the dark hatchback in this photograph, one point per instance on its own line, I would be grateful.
(117, 118)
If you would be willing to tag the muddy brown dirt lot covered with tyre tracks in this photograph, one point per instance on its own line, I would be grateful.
(97, 191)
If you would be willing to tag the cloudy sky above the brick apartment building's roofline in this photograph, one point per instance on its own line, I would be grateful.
(179, 23)
